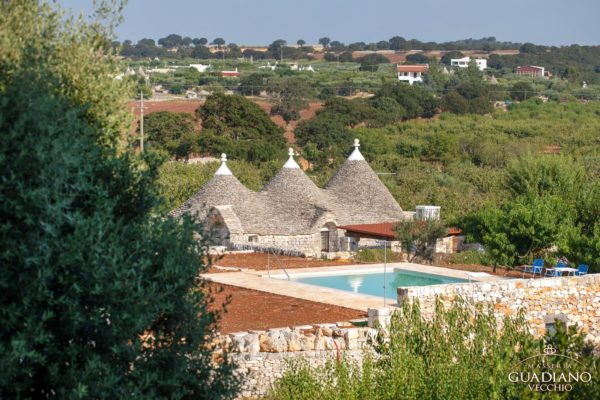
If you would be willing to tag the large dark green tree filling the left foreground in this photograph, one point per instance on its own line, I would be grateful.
(99, 296)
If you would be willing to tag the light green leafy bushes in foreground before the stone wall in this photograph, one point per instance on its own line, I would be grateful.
(459, 354)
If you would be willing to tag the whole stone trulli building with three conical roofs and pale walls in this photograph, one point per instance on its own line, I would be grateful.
(291, 213)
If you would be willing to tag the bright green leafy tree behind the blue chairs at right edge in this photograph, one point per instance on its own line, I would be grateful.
(547, 214)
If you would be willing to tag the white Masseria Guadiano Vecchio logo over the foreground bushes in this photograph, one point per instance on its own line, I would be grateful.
(549, 372)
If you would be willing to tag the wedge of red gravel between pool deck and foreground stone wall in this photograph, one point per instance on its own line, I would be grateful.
(252, 309)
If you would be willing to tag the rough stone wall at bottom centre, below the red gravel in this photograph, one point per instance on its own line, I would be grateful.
(262, 356)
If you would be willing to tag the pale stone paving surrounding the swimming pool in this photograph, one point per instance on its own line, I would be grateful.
(272, 282)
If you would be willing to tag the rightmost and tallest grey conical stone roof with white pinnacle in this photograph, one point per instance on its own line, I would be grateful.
(361, 198)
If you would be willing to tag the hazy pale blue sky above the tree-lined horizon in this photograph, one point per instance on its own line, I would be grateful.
(554, 22)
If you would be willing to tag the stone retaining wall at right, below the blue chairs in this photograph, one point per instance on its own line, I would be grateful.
(575, 300)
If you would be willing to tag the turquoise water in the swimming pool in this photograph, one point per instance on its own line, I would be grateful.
(373, 283)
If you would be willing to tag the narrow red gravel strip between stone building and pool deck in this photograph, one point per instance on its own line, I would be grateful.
(260, 261)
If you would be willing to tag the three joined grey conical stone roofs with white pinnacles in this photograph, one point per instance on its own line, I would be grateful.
(291, 204)
